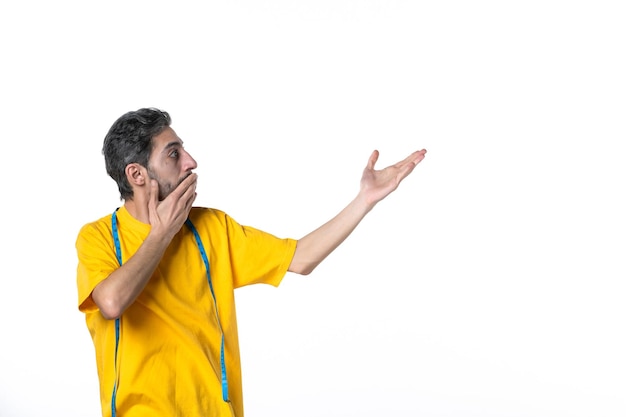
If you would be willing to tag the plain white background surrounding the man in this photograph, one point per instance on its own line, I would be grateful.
(491, 283)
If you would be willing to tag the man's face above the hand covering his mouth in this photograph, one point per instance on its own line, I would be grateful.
(169, 163)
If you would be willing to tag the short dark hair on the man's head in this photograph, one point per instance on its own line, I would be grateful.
(130, 141)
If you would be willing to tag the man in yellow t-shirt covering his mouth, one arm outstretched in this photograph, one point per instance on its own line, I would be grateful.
(156, 277)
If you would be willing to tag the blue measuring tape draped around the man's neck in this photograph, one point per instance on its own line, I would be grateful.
(205, 259)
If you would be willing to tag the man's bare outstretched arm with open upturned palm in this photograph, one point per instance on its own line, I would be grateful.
(313, 248)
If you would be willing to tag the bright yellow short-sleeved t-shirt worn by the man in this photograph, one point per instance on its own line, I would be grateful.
(168, 361)
